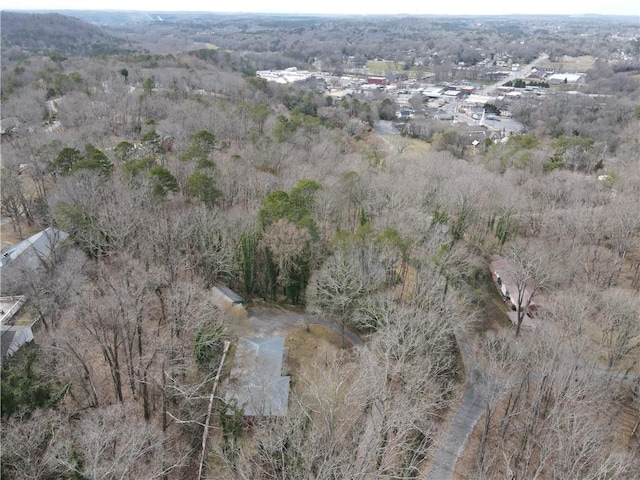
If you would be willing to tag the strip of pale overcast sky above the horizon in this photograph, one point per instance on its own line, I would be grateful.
(366, 7)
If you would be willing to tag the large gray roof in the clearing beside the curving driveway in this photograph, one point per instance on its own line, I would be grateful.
(256, 382)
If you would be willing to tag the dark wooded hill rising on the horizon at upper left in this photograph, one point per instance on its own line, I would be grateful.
(48, 33)
